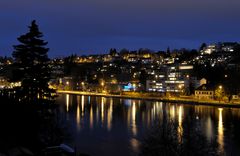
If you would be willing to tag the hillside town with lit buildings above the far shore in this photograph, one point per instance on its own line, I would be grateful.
(211, 73)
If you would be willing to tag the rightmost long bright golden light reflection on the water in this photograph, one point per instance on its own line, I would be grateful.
(220, 130)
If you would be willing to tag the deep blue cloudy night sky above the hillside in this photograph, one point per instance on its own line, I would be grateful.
(95, 26)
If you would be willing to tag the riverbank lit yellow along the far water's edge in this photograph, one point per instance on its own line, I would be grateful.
(182, 99)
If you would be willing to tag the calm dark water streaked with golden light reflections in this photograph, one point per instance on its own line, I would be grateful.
(114, 126)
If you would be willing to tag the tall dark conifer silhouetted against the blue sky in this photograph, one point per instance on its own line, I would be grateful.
(32, 64)
